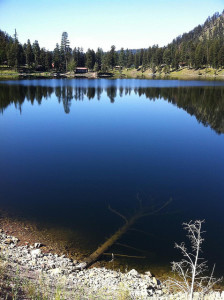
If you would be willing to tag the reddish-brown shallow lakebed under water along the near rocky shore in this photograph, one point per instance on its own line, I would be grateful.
(57, 241)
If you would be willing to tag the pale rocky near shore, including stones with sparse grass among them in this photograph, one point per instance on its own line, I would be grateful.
(50, 274)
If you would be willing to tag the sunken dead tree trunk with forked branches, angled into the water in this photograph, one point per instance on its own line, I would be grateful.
(140, 213)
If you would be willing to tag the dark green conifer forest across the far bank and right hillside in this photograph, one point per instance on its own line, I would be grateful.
(201, 47)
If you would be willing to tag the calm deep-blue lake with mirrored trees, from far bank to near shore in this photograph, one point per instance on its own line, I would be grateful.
(69, 148)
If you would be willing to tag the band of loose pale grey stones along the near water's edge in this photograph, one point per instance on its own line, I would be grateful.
(53, 267)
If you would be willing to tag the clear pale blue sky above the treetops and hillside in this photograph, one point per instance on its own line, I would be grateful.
(93, 23)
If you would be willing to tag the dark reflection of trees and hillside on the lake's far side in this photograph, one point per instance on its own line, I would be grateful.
(205, 103)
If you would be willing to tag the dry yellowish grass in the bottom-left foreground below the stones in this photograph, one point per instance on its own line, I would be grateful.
(14, 287)
